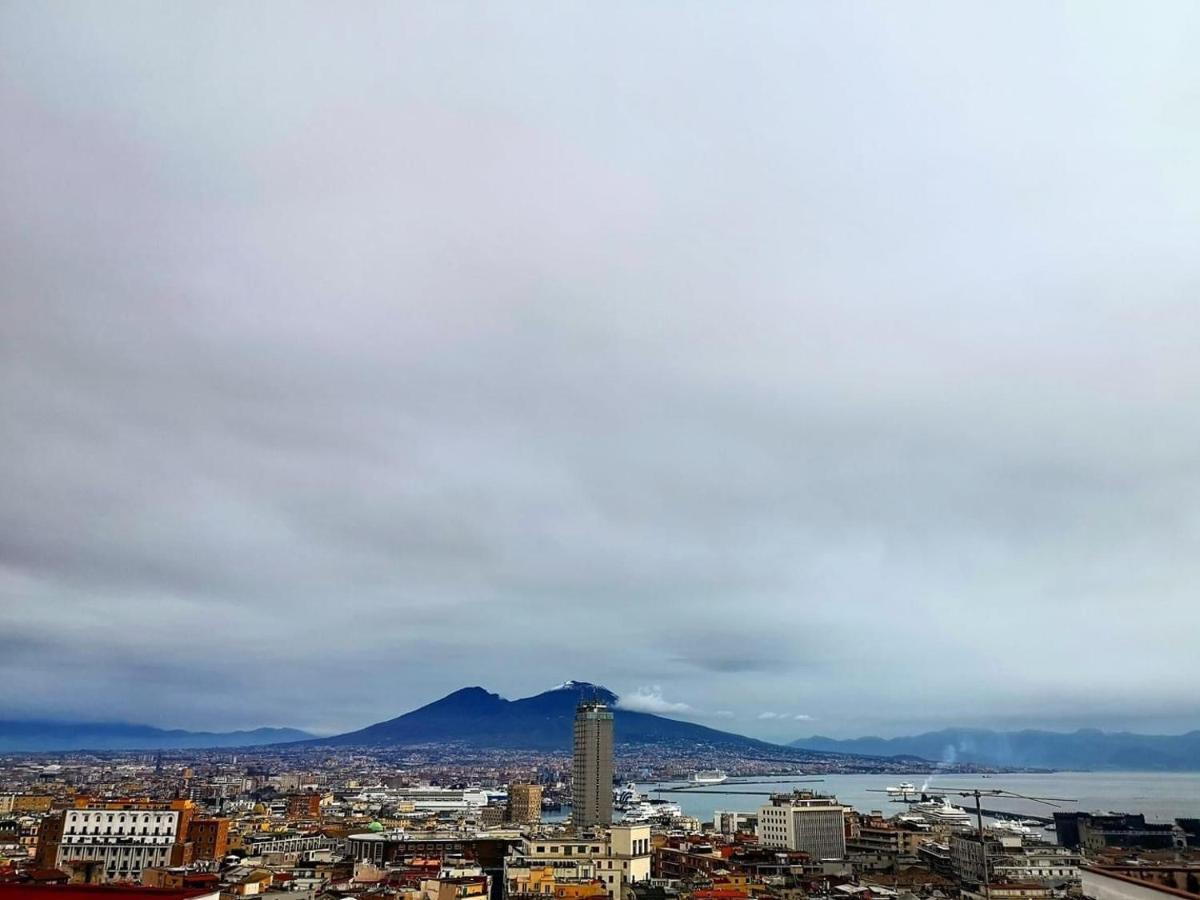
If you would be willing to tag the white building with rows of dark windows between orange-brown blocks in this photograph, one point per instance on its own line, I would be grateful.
(122, 843)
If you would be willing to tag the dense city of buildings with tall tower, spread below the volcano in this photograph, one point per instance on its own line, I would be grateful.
(350, 825)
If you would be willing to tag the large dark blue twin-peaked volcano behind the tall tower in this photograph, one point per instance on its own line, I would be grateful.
(481, 719)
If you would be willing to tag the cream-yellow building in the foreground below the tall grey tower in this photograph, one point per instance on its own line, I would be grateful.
(617, 855)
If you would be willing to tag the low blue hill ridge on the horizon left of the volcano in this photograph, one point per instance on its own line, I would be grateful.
(17, 736)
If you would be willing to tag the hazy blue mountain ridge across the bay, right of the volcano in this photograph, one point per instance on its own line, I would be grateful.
(1085, 749)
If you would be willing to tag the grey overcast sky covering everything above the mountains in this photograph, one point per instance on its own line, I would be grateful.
(800, 368)
